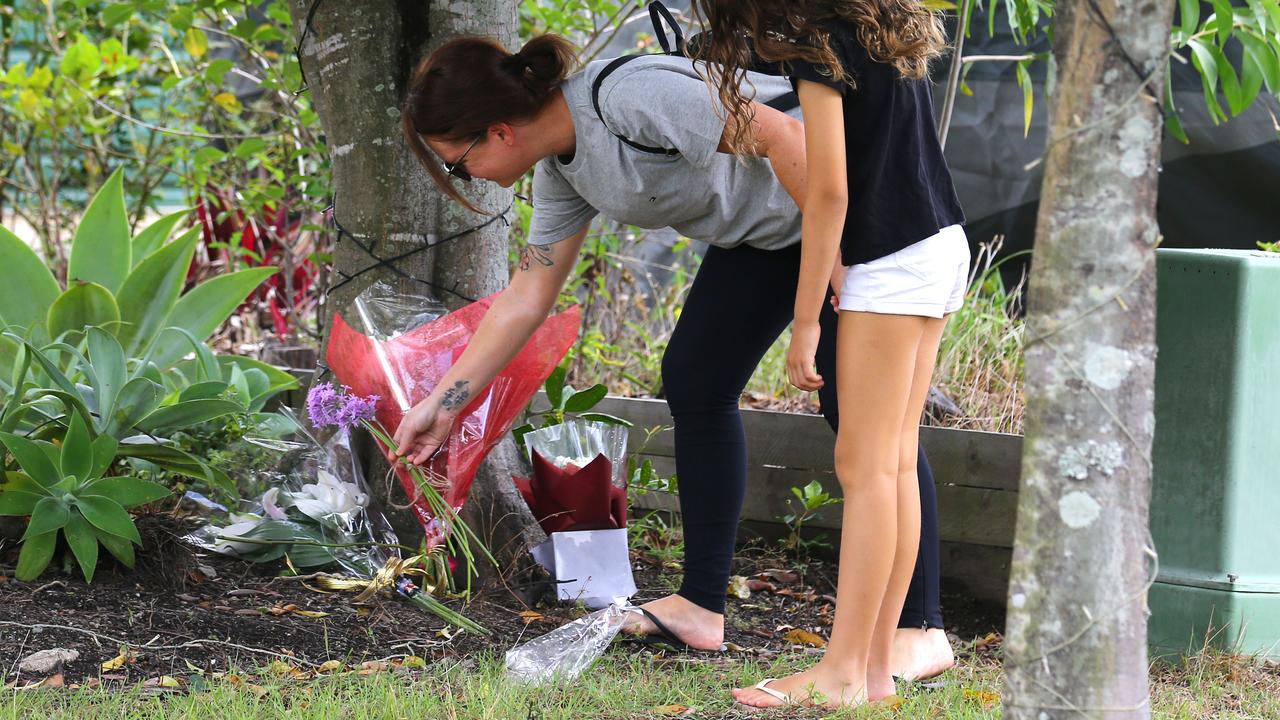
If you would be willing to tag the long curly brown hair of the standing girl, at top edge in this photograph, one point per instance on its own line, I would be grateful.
(904, 34)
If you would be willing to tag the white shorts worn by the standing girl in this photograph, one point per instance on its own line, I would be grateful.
(929, 279)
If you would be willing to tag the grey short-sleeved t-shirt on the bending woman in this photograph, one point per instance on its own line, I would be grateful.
(661, 102)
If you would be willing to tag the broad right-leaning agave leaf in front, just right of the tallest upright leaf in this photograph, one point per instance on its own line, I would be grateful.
(152, 291)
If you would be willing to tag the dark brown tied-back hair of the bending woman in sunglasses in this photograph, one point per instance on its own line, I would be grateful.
(470, 84)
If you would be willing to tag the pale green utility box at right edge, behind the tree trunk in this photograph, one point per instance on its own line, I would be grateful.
(1215, 508)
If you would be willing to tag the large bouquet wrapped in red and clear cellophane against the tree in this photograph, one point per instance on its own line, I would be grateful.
(400, 347)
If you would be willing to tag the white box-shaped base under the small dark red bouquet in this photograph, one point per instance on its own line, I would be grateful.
(591, 566)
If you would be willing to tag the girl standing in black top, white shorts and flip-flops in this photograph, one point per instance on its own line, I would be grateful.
(880, 197)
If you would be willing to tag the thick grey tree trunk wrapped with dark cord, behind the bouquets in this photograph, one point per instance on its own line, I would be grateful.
(358, 60)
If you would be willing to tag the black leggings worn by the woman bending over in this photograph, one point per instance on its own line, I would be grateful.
(742, 302)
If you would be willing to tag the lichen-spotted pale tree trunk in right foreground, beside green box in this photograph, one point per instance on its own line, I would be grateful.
(1077, 630)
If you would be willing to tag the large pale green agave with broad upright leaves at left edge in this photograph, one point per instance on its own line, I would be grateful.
(131, 286)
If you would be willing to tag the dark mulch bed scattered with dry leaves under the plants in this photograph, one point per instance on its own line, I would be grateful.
(184, 613)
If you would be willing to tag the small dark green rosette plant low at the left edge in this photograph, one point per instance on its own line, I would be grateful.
(63, 490)
